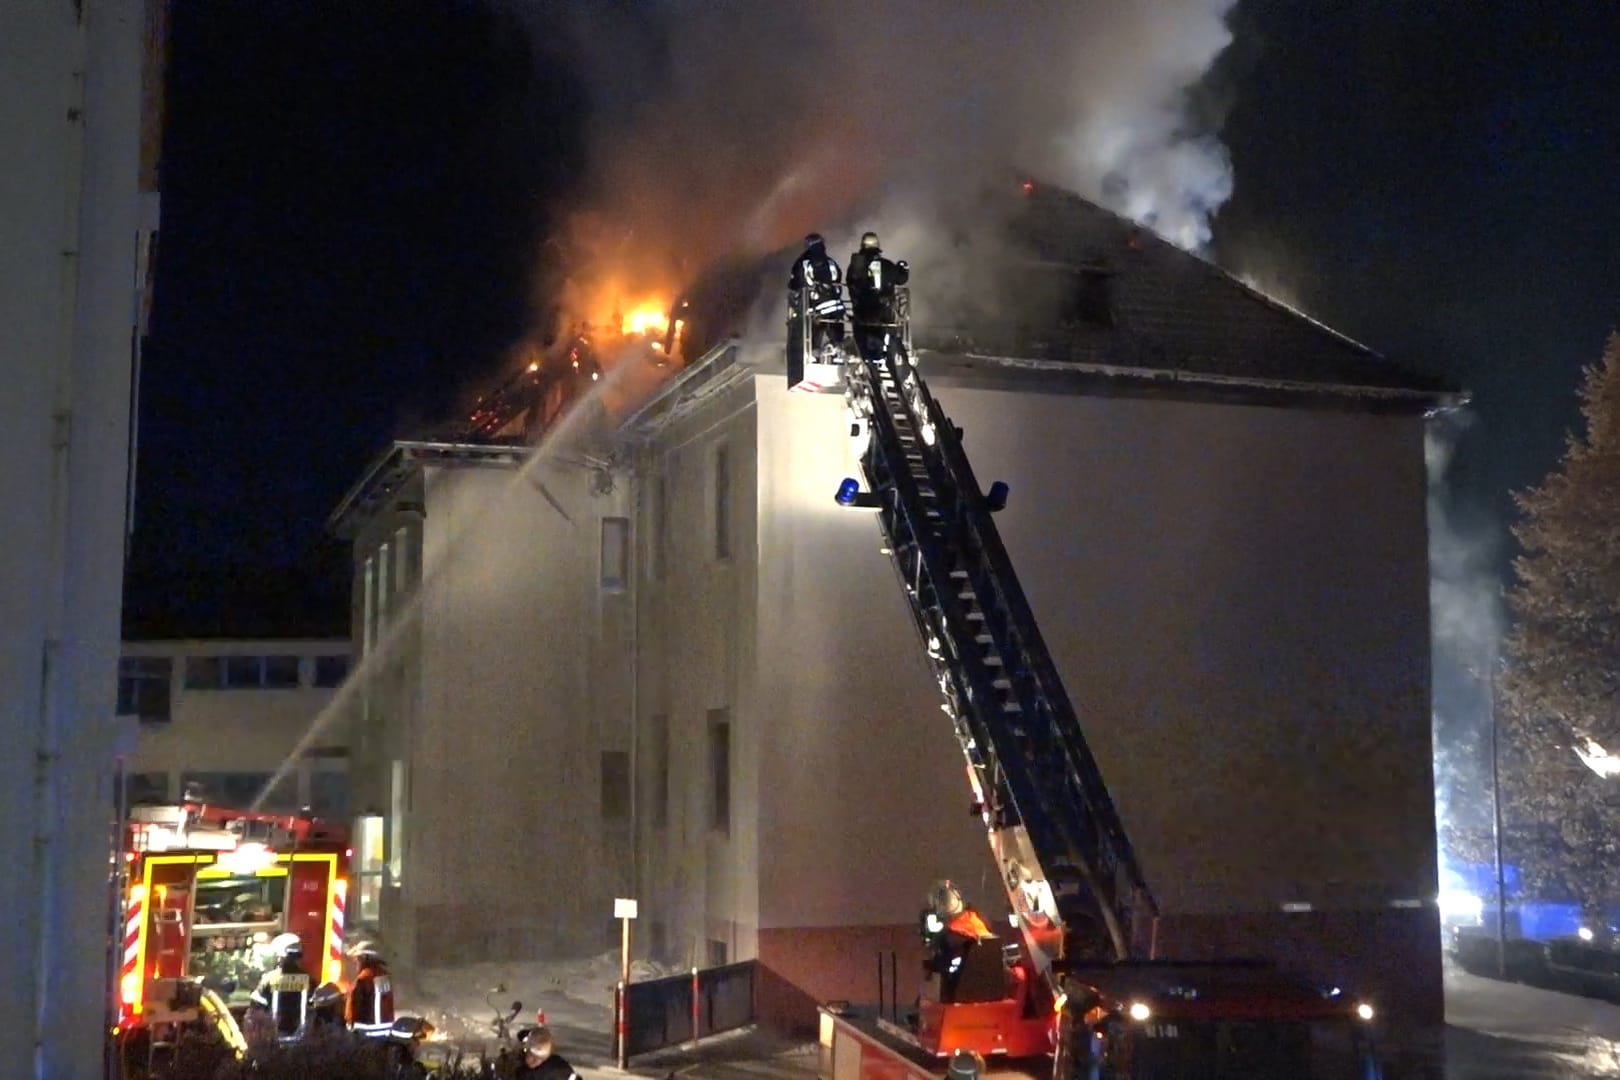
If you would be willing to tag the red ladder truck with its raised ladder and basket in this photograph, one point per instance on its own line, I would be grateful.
(1083, 993)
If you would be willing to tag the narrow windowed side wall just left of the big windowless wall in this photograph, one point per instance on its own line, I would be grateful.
(696, 668)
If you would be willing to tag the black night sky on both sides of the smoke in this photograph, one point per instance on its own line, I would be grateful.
(354, 198)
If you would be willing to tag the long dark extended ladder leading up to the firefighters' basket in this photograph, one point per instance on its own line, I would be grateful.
(1067, 862)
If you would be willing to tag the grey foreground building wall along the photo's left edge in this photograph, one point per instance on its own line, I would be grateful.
(70, 95)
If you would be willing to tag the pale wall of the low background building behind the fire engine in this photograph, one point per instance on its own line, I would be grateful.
(241, 731)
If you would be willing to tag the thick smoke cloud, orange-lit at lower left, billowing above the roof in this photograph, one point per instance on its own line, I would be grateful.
(728, 127)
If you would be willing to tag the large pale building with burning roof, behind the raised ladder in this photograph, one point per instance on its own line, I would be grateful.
(668, 666)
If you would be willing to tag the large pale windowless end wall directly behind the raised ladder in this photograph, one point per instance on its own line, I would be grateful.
(1238, 603)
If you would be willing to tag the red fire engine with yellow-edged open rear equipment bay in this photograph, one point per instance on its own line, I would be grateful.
(205, 890)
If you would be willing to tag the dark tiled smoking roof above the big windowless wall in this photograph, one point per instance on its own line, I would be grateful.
(1102, 305)
